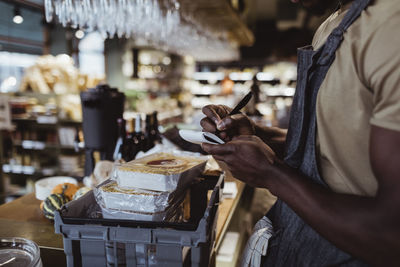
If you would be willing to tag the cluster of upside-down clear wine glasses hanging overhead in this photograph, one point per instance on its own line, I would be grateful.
(161, 23)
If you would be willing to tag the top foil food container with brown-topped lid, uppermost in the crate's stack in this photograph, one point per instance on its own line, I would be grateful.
(159, 172)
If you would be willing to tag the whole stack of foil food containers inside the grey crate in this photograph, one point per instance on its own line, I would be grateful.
(150, 188)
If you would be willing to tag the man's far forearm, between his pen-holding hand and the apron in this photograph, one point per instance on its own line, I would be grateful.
(273, 137)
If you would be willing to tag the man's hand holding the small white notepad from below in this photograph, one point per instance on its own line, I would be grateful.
(247, 157)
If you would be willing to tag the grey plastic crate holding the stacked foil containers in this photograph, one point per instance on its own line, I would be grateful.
(106, 242)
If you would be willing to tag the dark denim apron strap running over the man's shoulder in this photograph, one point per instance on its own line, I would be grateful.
(336, 37)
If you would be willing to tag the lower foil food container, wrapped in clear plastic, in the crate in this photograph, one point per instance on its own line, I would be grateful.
(111, 196)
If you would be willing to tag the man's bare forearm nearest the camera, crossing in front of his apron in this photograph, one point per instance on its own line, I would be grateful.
(362, 226)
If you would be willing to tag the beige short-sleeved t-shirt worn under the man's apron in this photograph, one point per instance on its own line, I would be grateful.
(362, 87)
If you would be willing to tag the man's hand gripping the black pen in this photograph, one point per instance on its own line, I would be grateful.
(218, 119)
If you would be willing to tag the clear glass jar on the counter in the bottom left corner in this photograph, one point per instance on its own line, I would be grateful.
(17, 252)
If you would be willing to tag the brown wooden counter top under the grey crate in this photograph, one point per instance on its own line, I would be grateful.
(23, 218)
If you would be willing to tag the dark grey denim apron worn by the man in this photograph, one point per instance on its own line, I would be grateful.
(295, 243)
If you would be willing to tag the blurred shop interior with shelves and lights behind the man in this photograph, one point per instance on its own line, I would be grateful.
(168, 58)
